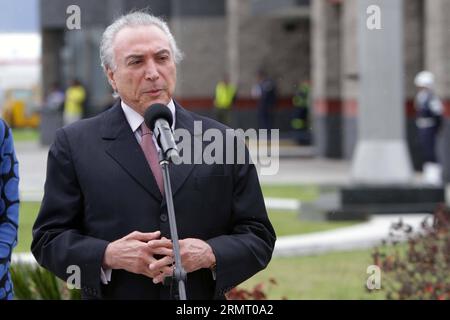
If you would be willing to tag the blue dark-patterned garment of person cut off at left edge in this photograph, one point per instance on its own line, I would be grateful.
(9, 208)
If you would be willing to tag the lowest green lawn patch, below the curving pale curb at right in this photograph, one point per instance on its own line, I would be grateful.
(337, 275)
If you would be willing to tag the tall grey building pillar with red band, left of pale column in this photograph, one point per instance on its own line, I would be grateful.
(326, 78)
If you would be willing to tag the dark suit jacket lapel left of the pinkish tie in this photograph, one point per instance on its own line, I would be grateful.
(125, 149)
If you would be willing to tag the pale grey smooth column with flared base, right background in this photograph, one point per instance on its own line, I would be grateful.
(381, 156)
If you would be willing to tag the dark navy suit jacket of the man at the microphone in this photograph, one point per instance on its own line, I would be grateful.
(100, 188)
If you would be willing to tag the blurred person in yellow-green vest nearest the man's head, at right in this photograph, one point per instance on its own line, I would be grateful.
(224, 99)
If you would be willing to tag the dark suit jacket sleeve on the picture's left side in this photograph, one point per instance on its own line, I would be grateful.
(59, 244)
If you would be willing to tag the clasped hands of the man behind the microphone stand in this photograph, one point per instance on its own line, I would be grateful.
(151, 255)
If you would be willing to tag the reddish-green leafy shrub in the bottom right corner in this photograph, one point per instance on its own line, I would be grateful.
(421, 268)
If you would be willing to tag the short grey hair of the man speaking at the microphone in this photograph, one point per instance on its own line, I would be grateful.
(133, 19)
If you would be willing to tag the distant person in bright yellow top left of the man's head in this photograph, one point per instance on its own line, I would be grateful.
(73, 105)
